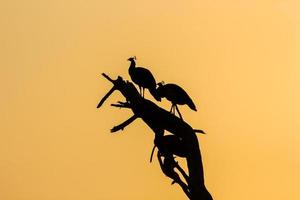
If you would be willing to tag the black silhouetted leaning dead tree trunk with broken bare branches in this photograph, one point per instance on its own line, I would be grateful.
(159, 120)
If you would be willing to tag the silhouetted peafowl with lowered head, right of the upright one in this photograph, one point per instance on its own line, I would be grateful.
(176, 95)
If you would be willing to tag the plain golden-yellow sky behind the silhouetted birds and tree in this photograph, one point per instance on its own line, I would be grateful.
(238, 60)
